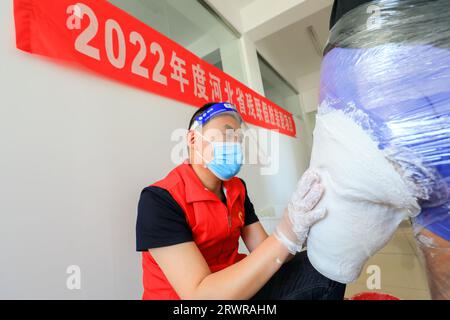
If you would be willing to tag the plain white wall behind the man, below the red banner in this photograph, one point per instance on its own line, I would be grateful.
(76, 150)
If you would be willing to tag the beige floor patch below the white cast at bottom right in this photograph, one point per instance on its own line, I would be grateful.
(402, 273)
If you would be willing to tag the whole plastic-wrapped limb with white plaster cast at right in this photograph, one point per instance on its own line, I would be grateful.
(382, 139)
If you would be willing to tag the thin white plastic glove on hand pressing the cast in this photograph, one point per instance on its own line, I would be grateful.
(299, 215)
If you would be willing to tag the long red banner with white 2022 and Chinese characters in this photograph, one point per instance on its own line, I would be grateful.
(108, 40)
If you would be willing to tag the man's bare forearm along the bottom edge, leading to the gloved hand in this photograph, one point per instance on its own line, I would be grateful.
(243, 279)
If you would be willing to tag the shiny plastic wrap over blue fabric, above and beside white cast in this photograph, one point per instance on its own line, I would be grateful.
(390, 72)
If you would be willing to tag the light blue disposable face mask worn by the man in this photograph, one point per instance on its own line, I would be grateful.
(227, 159)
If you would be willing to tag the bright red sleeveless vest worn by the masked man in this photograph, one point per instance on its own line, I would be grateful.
(216, 228)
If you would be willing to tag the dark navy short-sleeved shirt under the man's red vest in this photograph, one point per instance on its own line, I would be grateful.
(161, 221)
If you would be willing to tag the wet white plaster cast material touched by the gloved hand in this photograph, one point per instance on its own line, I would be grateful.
(366, 199)
